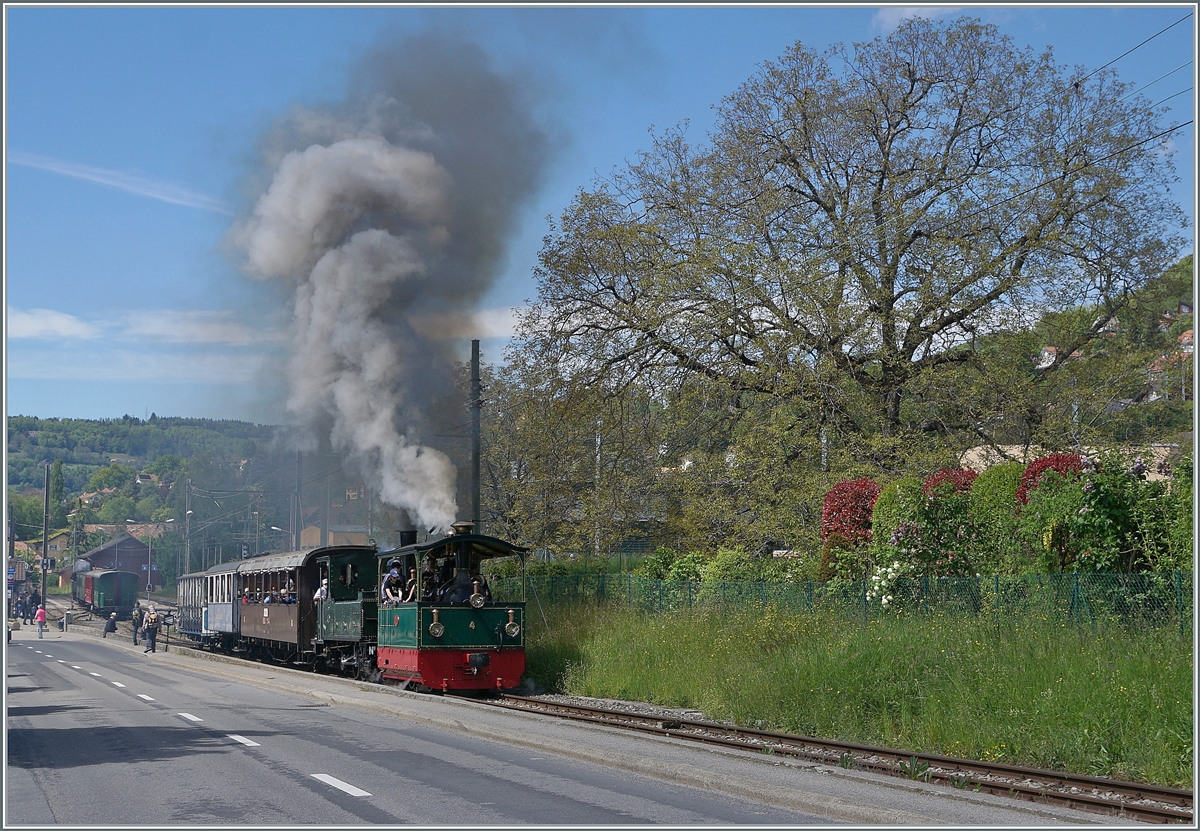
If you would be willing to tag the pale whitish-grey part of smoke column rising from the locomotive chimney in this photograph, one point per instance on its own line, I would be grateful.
(345, 362)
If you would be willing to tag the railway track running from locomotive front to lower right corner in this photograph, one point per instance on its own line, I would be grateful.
(1143, 803)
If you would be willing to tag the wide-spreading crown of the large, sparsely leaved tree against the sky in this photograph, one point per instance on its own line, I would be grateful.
(853, 229)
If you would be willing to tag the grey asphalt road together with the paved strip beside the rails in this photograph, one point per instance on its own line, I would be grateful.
(101, 734)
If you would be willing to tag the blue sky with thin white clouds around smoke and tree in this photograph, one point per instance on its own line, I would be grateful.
(130, 133)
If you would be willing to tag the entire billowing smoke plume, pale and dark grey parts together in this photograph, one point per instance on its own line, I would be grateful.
(385, 211)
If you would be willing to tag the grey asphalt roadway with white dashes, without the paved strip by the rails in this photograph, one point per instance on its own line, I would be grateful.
(103, 734)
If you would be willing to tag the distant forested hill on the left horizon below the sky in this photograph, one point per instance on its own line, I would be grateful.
(87, 446)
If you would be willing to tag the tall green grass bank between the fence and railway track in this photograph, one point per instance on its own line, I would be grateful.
(1040, 694)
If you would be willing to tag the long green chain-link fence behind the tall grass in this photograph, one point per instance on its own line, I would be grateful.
(1087, 600)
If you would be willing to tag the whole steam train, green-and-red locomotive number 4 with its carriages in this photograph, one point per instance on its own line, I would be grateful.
(451, 636)
